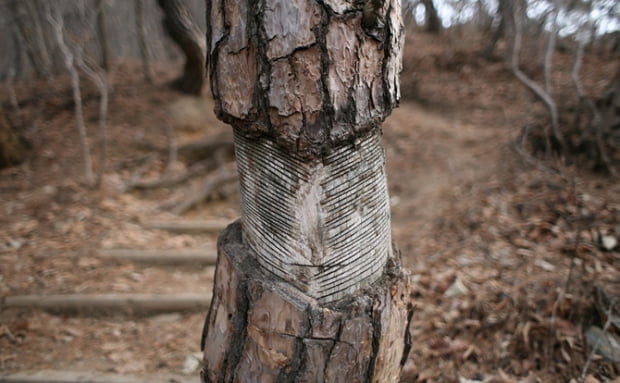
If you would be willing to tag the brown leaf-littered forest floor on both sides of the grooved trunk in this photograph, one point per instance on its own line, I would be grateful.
(506, 259)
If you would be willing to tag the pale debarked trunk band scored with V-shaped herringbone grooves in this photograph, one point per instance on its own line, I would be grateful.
(322, 225)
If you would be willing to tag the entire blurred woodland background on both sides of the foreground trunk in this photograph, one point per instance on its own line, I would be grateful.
(503, 164)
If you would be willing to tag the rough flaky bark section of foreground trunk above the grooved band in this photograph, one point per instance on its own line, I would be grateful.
(310, 75)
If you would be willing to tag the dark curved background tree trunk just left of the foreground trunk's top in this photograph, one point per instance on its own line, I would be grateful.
(190, 39)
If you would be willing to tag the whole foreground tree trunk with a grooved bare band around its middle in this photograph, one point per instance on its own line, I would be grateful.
(308, 286)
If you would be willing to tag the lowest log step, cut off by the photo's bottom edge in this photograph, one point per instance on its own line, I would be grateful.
(88, 377)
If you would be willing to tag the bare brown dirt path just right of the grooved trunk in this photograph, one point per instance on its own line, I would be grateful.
(434, 158)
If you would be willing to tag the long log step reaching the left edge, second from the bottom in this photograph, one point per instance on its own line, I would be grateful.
(111, 303)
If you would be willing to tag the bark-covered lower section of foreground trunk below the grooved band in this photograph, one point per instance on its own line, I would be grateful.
(262, 329)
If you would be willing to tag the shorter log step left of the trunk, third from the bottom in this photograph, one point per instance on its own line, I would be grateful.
(193, 256)
